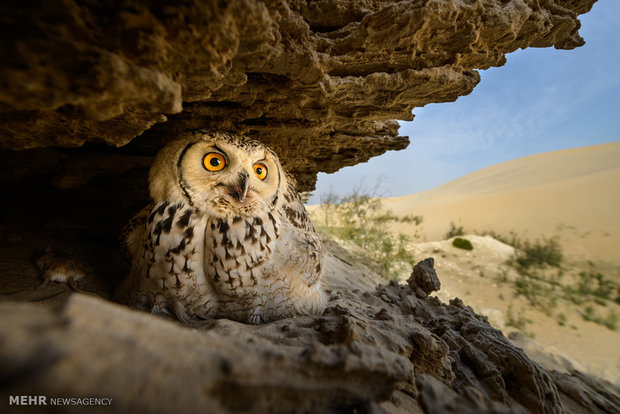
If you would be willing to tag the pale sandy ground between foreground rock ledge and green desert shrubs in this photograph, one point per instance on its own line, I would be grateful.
(474, 276)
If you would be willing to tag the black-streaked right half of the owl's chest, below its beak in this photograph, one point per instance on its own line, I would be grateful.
(238, 251)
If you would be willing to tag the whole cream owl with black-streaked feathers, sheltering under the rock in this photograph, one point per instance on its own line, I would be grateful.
(226, 236)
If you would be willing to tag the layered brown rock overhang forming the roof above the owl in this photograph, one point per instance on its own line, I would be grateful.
(320, 81)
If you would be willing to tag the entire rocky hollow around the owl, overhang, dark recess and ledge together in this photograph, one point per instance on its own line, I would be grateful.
(106, 84)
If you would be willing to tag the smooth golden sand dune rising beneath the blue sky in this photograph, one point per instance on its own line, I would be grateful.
(574, 194)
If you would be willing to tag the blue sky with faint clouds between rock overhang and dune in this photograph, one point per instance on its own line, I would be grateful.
(540, 100)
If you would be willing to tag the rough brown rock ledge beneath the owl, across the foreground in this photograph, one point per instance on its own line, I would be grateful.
(381, 350)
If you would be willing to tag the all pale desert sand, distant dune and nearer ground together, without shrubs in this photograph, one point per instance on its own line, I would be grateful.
(573, 195)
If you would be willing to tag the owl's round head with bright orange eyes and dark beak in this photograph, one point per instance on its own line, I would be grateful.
(224, 174)
